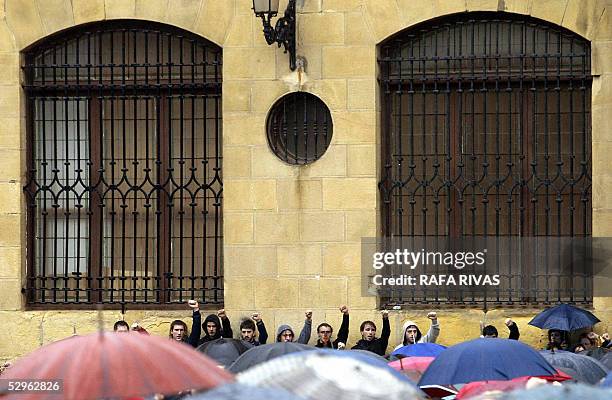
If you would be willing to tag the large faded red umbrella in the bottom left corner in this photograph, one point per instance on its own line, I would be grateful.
(116, 365)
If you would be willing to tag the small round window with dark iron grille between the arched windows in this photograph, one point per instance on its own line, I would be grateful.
(299, 128)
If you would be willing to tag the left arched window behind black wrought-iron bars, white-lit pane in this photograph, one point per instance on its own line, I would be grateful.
(124, 166)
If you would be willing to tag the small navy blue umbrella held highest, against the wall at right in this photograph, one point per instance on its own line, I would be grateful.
(564, 317)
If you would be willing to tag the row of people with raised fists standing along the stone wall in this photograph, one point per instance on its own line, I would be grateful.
(253, 331)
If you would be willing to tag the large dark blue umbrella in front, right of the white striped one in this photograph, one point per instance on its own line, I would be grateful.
(485, 360)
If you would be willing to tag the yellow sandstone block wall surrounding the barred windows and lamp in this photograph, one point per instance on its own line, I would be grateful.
(291, 234)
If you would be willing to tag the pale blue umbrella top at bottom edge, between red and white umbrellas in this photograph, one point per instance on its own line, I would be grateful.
(237, 391)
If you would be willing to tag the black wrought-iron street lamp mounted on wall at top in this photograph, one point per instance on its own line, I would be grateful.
(284, 29)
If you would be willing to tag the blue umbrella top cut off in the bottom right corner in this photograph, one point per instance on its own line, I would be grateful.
(547, 392)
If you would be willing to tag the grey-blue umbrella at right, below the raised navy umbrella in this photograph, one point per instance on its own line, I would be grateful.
(581, 368)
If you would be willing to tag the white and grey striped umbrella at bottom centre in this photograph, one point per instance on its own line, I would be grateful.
(333, 375)
